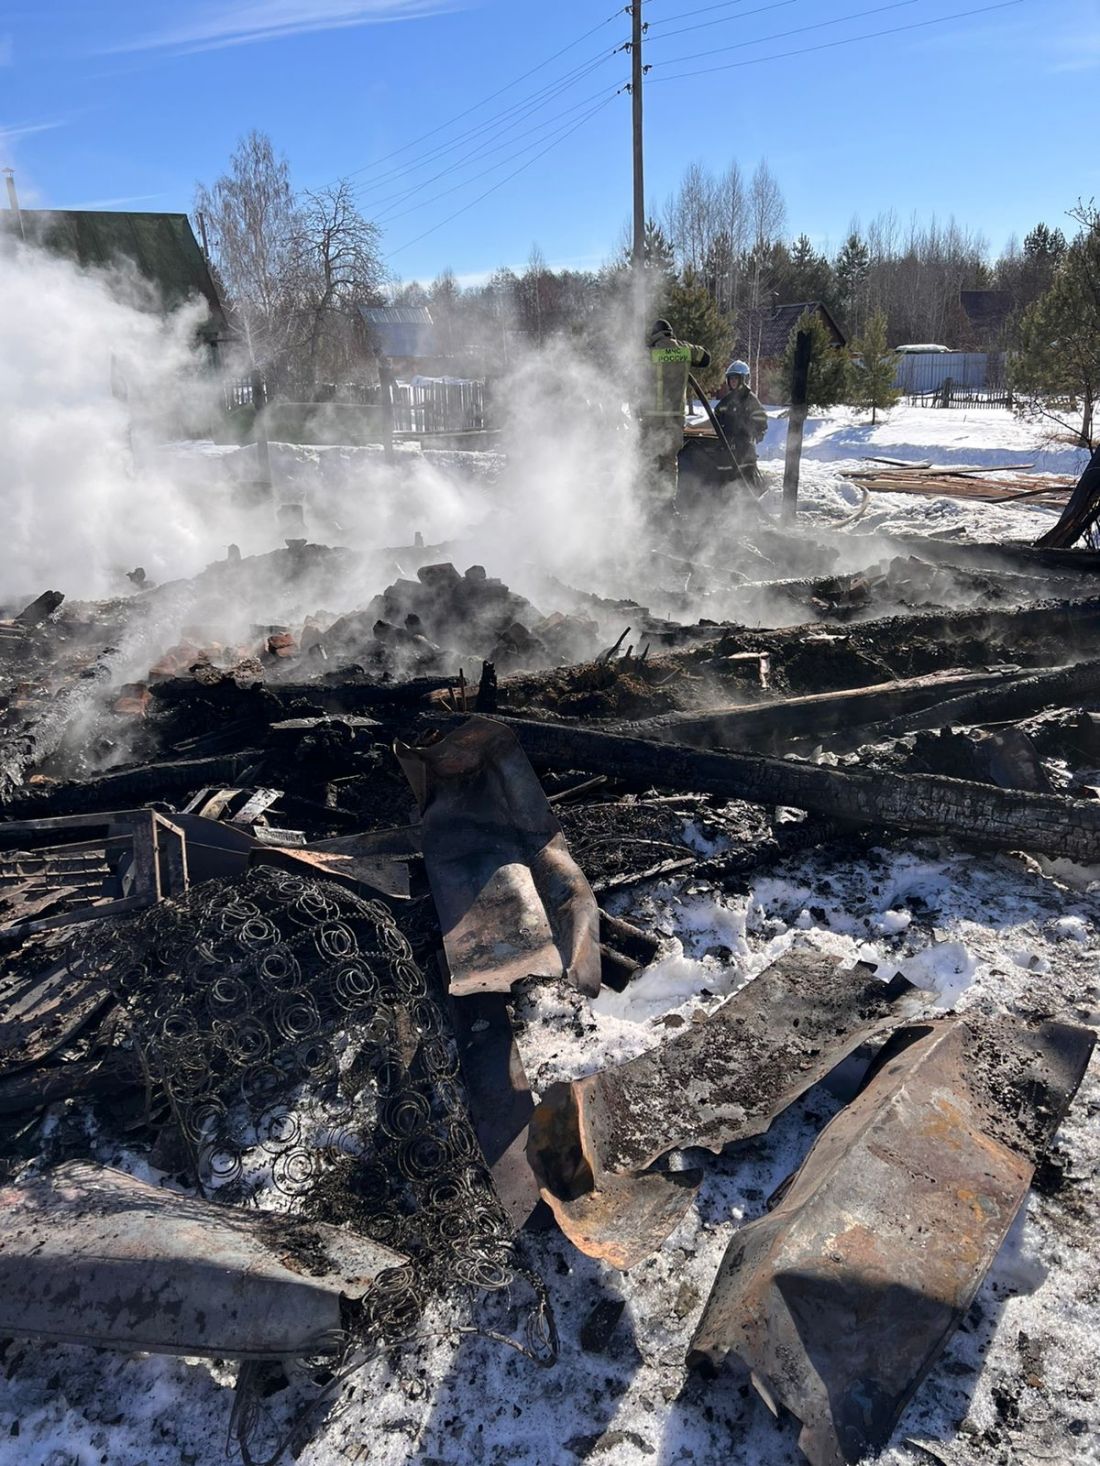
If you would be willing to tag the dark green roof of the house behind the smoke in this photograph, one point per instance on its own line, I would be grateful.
(161, 246)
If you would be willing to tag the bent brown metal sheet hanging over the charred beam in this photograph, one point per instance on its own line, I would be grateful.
(511, 899)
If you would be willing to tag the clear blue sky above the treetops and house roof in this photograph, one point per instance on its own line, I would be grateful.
(127, 105)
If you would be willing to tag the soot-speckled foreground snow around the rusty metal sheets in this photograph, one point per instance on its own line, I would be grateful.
(1017, 1385)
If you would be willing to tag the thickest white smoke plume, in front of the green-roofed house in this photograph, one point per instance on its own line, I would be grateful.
(77, 508)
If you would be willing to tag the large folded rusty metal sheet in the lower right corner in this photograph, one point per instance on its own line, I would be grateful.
(841, 1300)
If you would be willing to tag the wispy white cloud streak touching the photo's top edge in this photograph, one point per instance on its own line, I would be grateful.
(243, 23)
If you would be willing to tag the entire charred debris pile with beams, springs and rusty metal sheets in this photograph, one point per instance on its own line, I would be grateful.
(268, 910)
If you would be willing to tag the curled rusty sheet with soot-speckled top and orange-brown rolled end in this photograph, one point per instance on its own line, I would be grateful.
(722, 1080)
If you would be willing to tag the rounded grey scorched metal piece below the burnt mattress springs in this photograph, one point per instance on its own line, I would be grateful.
(92, 1256)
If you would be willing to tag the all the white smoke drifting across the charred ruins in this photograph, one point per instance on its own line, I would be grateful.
(106, 464)
